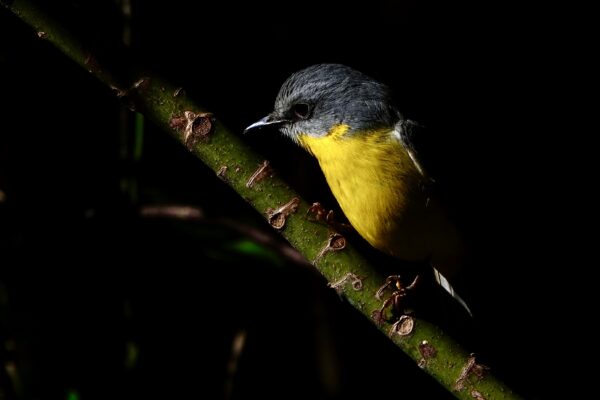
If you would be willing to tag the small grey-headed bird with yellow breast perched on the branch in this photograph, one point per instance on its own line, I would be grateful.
(365, 148)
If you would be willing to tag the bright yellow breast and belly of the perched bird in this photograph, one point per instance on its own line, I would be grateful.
(377, 186)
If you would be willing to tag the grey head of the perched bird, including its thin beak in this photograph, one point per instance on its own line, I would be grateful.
(316, 99)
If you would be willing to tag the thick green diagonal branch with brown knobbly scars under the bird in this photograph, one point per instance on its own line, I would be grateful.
(247, 173)
